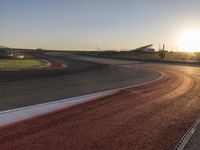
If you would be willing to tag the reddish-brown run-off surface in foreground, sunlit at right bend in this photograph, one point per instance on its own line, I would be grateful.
(151, 116)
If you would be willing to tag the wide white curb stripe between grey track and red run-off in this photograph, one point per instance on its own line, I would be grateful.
(11, 116)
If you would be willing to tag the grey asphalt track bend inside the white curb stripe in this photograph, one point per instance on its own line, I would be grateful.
(79, 78)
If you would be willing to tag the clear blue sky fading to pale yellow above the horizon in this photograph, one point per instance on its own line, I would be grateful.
(88, 24)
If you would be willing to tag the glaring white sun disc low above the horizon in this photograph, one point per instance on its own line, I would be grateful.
(189, 41)
